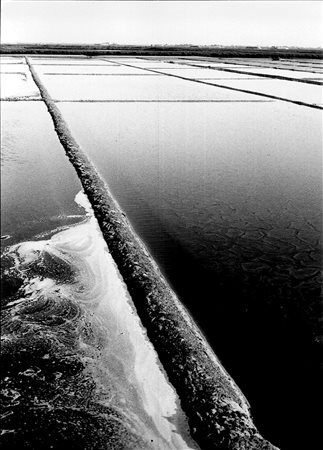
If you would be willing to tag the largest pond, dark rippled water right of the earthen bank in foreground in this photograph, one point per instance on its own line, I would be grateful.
(227, 198)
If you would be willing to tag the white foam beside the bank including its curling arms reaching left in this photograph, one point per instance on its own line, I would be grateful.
(128, 374)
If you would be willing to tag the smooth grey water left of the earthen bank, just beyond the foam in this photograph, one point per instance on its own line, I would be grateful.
(38, 185)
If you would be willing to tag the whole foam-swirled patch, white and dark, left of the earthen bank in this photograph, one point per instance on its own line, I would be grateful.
(77, 366)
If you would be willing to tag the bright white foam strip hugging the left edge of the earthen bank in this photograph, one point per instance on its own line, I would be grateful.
(158, 396)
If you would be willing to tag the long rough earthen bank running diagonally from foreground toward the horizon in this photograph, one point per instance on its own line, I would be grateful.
(217, 411)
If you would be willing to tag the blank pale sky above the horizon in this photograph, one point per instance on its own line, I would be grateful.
(263, 23)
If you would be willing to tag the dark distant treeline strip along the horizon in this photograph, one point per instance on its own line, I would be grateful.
(180, 50)
